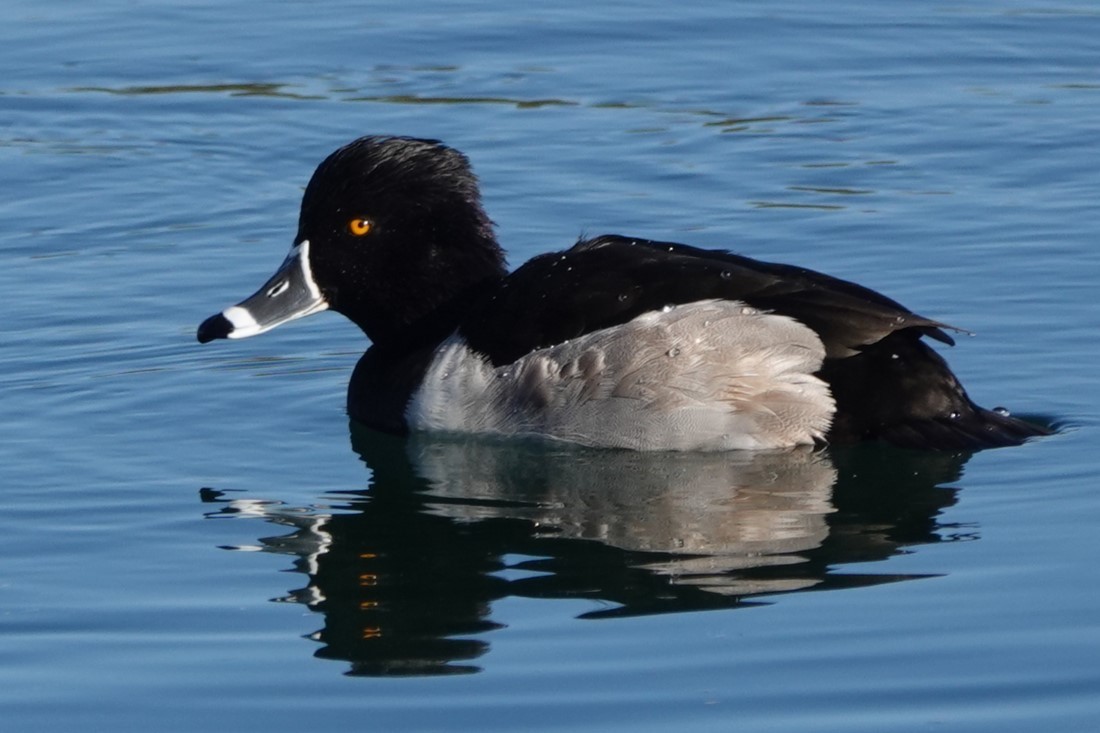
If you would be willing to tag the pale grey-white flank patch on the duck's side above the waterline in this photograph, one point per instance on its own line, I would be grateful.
(709, 376)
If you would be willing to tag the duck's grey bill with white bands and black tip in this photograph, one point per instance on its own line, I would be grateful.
(291, 293)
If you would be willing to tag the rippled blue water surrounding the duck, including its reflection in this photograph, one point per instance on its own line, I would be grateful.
(153, 158)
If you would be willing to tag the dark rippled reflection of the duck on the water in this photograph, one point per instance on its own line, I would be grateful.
(406, 572)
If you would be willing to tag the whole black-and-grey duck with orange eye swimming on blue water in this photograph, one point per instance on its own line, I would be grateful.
(617, 342)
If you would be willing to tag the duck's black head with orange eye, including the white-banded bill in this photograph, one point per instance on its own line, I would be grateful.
(392, 235)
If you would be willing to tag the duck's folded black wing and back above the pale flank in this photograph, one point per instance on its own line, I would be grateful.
(611, 280)
